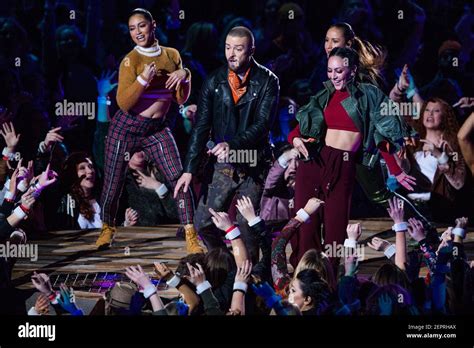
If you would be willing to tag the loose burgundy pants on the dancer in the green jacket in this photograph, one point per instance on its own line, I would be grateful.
(330, 177)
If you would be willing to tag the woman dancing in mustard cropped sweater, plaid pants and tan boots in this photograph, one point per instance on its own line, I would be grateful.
(150, 78)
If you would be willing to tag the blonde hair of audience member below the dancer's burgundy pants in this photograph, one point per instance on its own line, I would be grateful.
(317, 260)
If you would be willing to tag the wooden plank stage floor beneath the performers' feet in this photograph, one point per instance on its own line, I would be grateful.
(74, 252)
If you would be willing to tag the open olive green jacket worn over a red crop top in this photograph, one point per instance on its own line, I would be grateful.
(373, 113)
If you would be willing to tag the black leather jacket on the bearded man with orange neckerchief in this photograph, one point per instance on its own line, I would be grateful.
(244, 125)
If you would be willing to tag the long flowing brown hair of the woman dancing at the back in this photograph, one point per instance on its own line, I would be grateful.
(371, 57)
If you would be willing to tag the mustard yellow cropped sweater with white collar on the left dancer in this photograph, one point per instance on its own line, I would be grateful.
(130, 90)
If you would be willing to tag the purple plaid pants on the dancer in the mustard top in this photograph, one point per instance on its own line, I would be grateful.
(127, 135)
